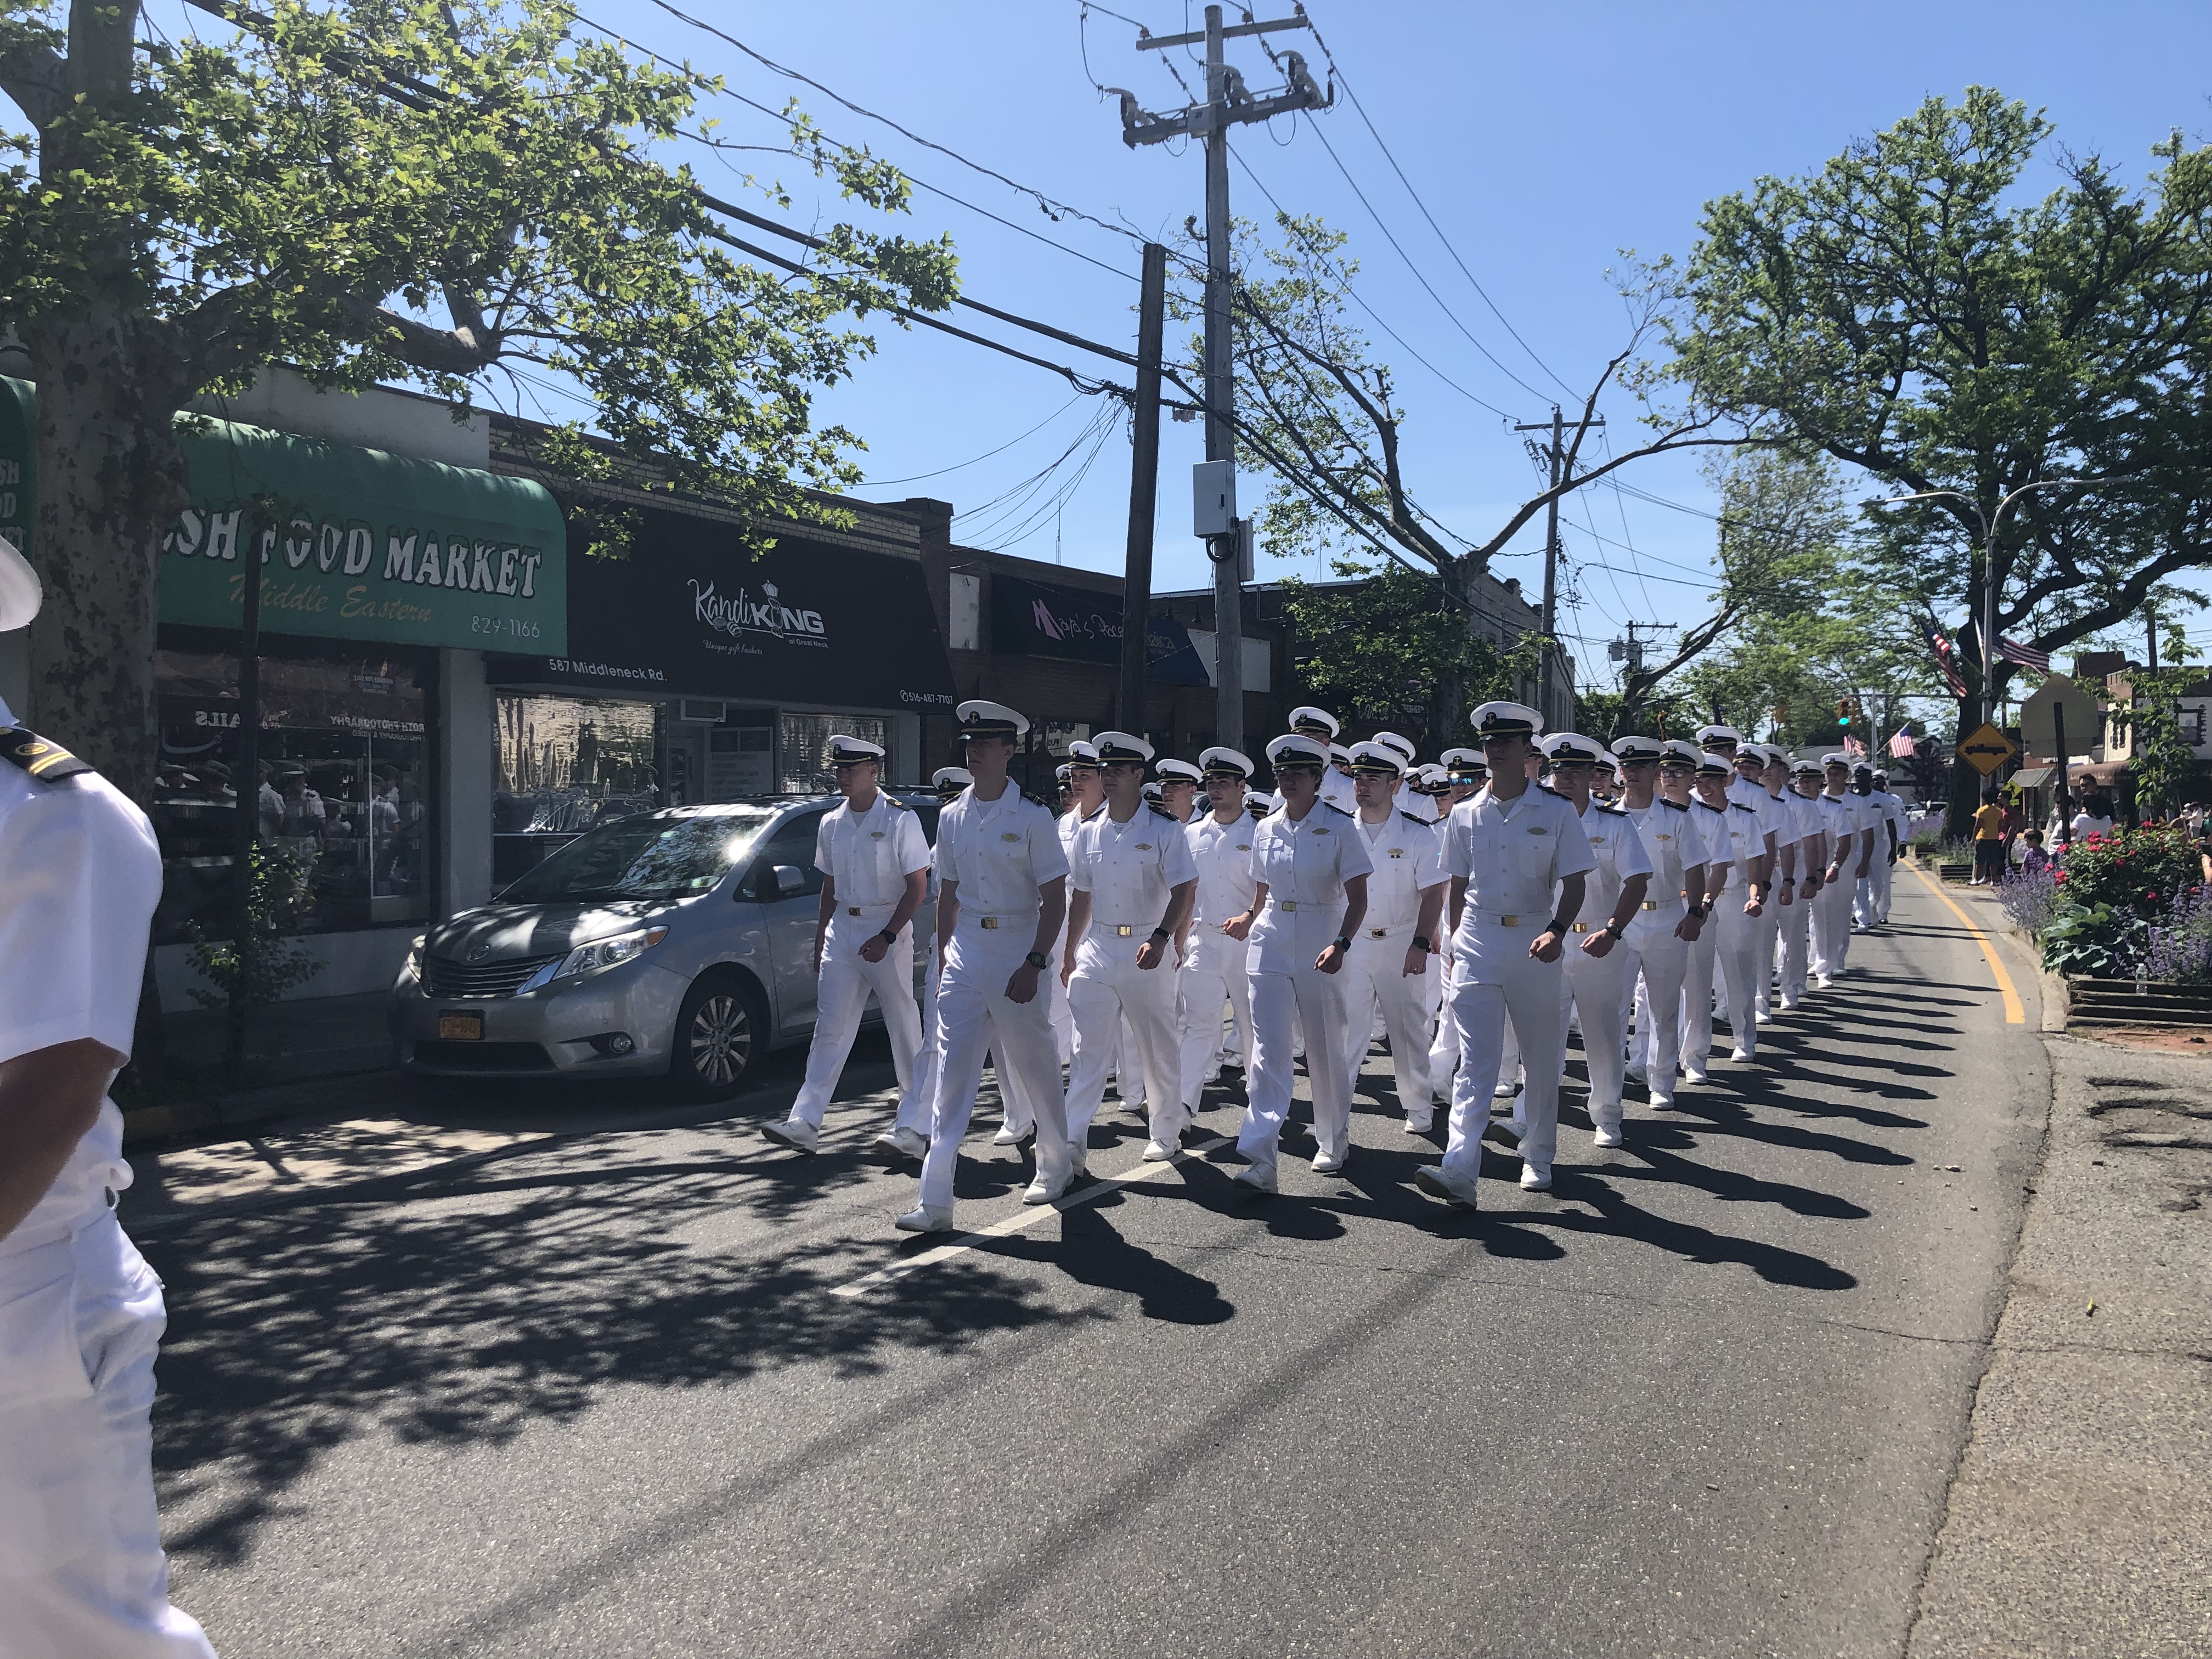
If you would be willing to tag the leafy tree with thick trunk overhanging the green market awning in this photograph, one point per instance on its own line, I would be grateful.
(384, 189)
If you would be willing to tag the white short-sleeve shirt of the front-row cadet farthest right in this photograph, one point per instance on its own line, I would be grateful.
(1512, 855)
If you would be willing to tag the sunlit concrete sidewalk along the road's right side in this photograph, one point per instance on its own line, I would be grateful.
(2078, 1521)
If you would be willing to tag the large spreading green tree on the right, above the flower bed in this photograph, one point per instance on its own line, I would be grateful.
(1906, 313)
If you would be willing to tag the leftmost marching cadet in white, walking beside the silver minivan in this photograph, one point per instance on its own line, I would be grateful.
(875, 866)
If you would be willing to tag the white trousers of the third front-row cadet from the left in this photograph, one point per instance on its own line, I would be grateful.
(1125, 1010)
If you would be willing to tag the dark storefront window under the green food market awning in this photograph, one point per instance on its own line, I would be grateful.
(344, 786)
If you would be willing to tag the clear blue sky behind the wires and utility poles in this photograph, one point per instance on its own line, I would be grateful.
(1541, 138)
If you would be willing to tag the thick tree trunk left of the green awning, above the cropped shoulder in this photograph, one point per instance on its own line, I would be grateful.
(109, 483)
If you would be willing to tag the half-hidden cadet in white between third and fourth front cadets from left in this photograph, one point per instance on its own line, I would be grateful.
(1215, 959)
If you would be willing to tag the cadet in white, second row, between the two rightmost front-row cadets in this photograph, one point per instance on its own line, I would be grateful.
(1388, 968)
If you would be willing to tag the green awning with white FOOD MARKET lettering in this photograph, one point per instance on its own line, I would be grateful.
(357, 543)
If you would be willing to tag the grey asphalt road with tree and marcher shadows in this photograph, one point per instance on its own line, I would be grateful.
(605, 1397)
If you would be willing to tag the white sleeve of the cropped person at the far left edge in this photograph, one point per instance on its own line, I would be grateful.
(83, 879)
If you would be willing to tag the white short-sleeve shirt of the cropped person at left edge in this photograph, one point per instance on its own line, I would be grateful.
(83, 877)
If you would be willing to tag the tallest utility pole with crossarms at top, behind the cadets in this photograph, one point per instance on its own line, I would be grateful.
(1227, 105)
